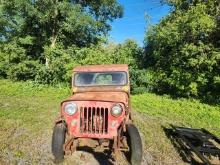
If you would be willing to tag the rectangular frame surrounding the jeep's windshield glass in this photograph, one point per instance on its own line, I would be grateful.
(105, 85)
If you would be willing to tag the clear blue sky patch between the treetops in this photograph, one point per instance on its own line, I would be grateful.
(133, 24)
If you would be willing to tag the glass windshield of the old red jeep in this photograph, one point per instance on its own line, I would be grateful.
(100, 78)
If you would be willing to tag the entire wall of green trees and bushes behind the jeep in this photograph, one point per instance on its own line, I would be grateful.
(43, 40)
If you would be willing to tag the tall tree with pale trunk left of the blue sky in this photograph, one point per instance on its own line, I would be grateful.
(38, 26)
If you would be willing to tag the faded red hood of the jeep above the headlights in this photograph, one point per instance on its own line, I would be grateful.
(100, 96)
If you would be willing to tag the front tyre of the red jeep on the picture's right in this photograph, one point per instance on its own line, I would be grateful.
(135, 145)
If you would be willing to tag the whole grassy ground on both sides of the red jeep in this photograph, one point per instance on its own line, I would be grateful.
(28, 111)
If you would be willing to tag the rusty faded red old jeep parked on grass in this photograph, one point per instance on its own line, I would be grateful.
(98, 114)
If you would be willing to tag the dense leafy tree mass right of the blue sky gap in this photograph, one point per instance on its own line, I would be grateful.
(183, 50)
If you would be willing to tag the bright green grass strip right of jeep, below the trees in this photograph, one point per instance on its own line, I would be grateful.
(181, 112)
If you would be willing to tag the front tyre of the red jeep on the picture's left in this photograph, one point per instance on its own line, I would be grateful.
(58, 139)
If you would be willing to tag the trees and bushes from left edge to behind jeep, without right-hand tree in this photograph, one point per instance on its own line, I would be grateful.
(43, 40)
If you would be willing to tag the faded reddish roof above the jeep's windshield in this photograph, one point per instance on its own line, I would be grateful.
(101, 68)
